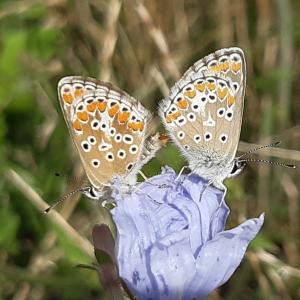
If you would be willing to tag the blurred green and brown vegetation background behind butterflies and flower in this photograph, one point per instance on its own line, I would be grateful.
(142, 47)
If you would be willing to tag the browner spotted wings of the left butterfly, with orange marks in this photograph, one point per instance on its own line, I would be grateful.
(107, 126)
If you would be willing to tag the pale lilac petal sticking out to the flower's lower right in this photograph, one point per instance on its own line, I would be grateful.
(220, 257)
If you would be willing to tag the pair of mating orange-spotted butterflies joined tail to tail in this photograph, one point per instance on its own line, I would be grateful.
(203, 115)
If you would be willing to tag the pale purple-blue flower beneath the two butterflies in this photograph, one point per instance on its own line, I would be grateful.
(171, 242)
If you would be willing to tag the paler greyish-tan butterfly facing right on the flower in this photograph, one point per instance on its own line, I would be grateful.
(203, 114)
